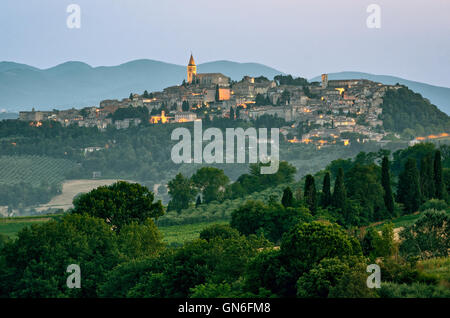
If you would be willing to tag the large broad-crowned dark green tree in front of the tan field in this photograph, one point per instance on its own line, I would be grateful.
(119, 204)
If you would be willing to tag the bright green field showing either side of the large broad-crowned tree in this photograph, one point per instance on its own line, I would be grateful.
(173, 235)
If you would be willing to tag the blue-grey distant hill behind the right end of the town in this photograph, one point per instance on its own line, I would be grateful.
(439, 96)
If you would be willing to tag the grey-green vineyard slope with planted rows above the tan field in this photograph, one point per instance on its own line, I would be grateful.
(33, 170)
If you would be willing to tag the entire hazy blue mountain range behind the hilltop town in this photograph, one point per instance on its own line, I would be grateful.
(77, 84)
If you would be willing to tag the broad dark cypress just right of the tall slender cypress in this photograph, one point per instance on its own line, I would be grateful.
(408, 191)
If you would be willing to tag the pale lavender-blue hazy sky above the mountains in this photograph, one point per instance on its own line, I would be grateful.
(304, 38)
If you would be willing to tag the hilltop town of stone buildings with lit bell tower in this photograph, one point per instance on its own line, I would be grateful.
(323, 113)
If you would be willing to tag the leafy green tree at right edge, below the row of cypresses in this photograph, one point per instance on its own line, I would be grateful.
(429, 237)
